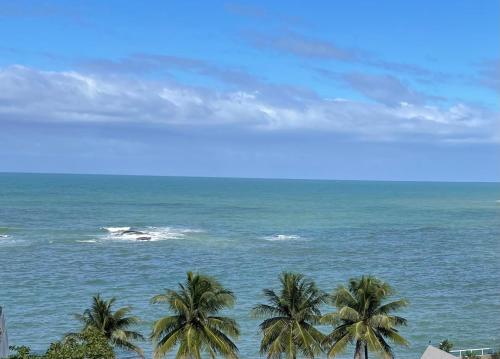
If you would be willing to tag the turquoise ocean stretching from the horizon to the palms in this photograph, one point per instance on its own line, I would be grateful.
(438, 244)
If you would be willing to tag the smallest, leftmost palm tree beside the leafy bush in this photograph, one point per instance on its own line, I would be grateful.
(112, 325)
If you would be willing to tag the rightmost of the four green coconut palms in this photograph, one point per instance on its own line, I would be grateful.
(364, 319)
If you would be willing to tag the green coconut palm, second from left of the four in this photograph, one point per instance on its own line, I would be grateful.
(195, 326)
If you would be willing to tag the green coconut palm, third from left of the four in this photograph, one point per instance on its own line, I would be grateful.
(290, 316)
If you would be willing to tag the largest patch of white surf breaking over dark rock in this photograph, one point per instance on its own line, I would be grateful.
(148, 233)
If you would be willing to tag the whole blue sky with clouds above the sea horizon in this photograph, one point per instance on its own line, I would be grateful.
(356, 90)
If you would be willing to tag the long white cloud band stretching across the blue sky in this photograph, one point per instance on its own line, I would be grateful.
(28, 94)
